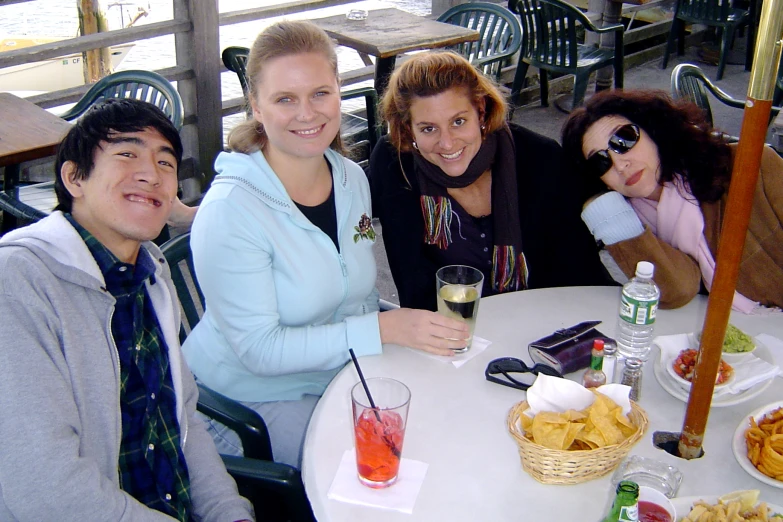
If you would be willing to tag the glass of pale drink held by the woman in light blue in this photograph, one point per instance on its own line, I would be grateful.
(459, 291)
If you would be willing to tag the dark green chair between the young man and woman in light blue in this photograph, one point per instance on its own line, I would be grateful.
(275, 489)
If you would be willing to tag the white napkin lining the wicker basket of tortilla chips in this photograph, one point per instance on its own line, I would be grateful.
(560, 395)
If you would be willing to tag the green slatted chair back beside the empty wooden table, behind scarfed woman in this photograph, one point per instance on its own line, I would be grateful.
(500, 35)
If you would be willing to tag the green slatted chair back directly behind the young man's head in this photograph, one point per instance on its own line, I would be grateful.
(138, 85)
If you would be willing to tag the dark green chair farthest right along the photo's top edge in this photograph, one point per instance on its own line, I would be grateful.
(713, 13)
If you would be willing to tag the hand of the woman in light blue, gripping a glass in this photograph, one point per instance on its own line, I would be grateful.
(423, 330)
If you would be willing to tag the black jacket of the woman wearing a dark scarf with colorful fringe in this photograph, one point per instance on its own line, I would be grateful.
(559, 249)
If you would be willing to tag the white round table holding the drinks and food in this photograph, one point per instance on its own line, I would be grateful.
(457, 420)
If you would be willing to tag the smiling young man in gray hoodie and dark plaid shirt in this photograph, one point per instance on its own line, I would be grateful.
(97, 406)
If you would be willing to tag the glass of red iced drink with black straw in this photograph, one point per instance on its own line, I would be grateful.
(379, 432)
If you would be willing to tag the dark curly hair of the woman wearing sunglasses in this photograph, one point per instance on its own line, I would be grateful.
(686, 142)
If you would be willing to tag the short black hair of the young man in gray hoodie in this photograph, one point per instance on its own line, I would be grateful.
(98, 124)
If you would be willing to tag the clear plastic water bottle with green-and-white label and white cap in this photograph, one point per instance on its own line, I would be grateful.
(636, 321)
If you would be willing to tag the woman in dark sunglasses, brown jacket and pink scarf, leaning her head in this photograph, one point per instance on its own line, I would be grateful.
(669, 174)
